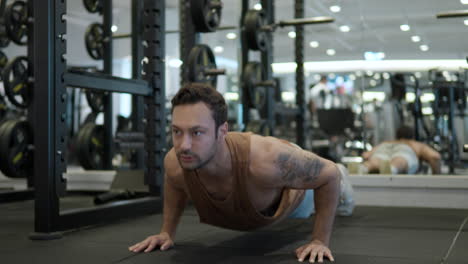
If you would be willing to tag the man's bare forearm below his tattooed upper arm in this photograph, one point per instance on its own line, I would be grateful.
(326, 201)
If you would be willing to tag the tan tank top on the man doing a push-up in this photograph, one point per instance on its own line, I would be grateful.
(237, 211)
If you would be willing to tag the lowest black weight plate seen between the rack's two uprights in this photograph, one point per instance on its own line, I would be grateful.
(91, 147)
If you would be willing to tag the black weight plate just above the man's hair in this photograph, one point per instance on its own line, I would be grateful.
(201, 59)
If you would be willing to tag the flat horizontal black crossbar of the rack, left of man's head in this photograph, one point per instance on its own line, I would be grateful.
(107, 83)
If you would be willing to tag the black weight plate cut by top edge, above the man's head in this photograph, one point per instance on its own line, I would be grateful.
(206, 14)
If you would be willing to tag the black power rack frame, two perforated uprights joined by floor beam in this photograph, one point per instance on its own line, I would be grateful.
(50, 133)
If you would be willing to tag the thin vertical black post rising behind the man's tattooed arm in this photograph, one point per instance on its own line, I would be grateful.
(301, 122)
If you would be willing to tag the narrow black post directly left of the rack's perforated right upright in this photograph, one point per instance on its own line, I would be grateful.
(137, 57)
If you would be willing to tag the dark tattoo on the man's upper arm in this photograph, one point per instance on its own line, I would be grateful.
(305, 168)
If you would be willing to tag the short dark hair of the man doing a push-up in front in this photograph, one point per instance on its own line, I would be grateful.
(192, 93)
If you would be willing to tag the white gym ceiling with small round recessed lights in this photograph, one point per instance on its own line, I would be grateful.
(374, 24)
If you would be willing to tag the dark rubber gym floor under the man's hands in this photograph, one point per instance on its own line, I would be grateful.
(372, 235)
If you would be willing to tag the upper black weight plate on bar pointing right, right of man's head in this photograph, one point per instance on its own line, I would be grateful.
(256, 39)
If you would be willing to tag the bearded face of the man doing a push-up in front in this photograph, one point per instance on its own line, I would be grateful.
(193, 135)
